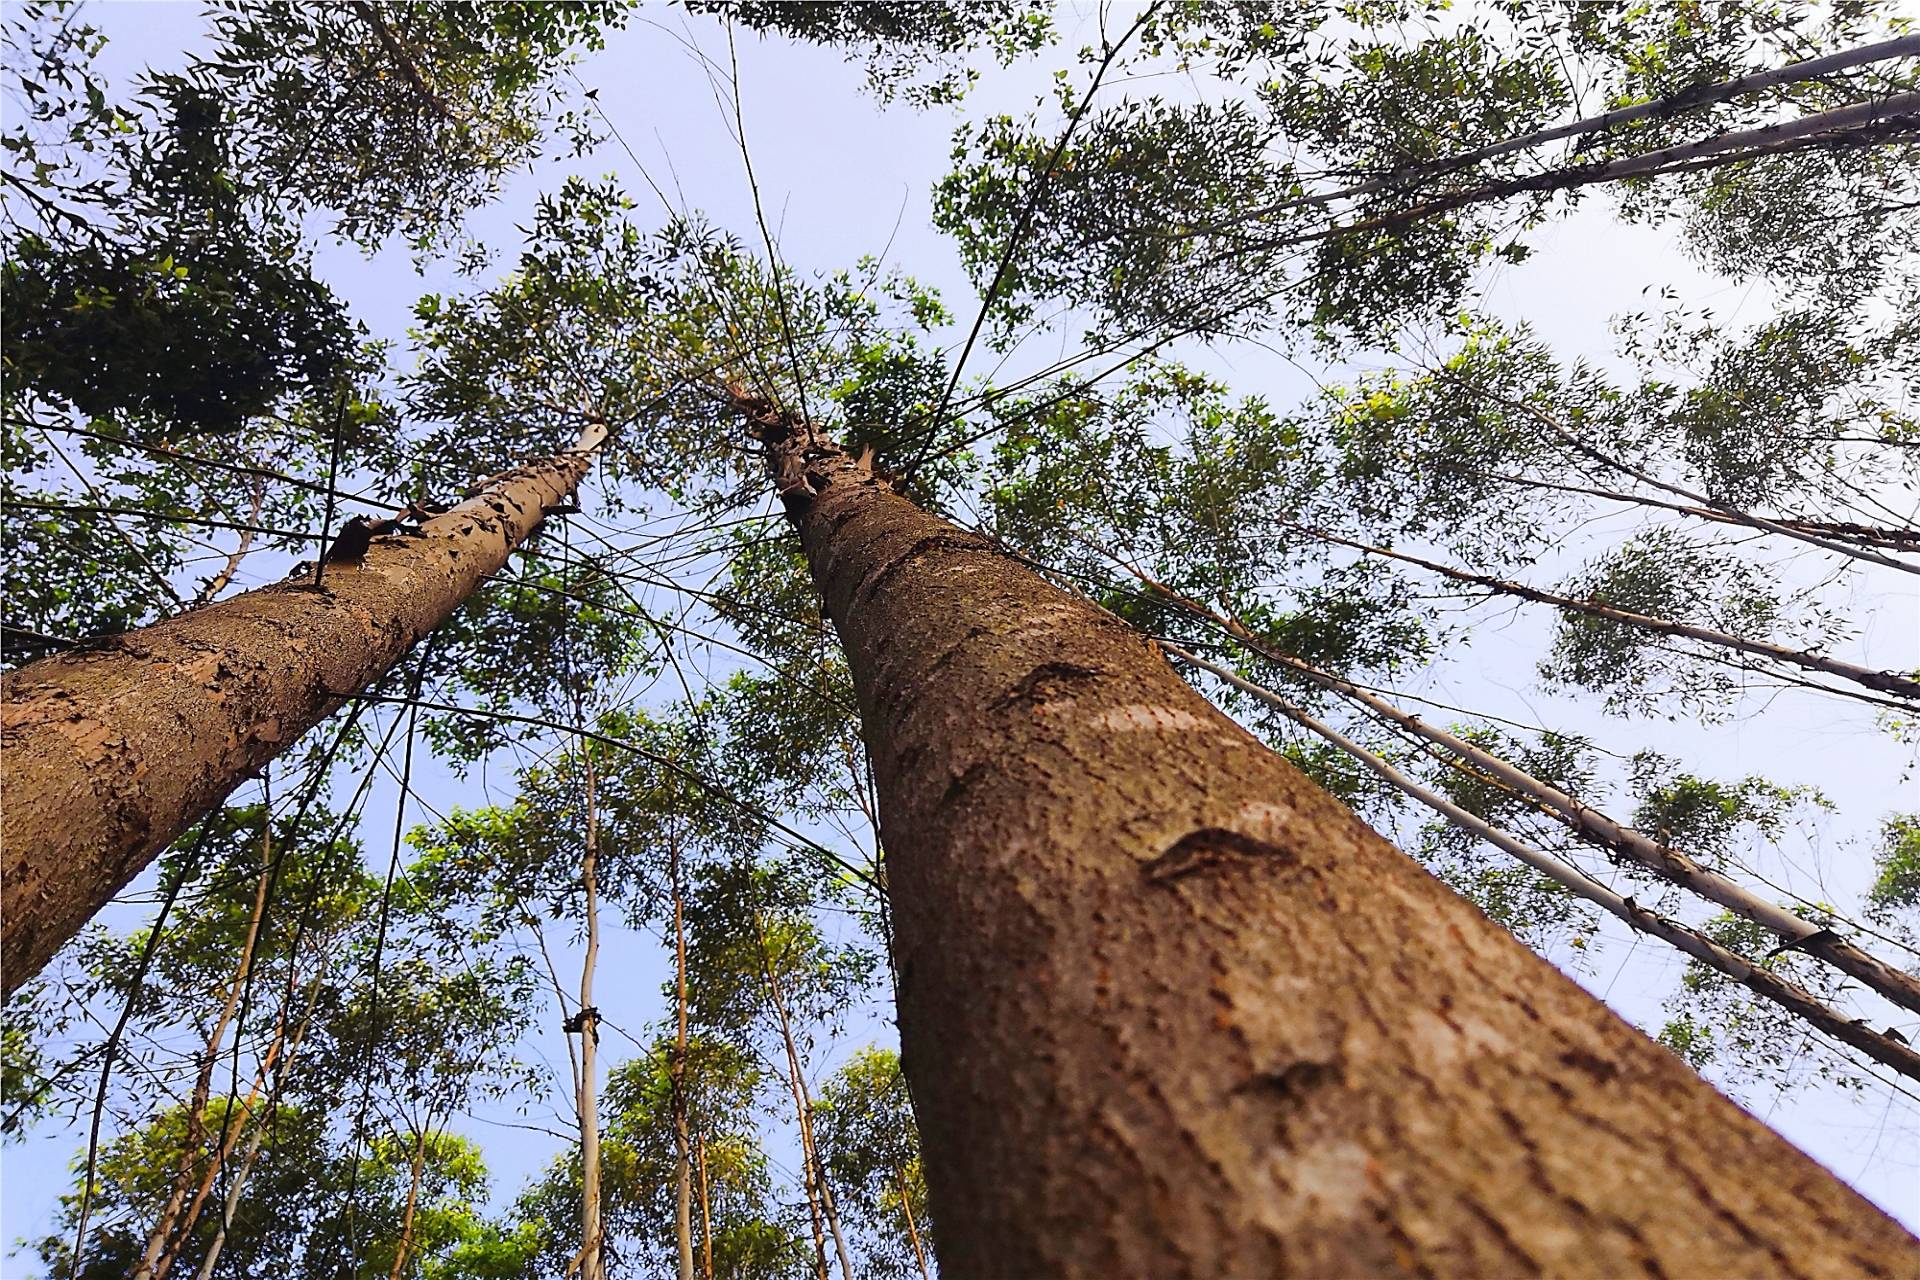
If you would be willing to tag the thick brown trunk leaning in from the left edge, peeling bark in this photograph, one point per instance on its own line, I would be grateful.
(110, 751)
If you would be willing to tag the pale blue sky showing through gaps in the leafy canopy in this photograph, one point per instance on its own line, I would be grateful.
(846, 178)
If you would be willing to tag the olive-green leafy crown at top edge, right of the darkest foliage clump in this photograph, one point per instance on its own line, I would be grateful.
(400, 118)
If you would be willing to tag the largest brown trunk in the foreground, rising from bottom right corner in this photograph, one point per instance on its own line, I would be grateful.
(1170, 1010)
